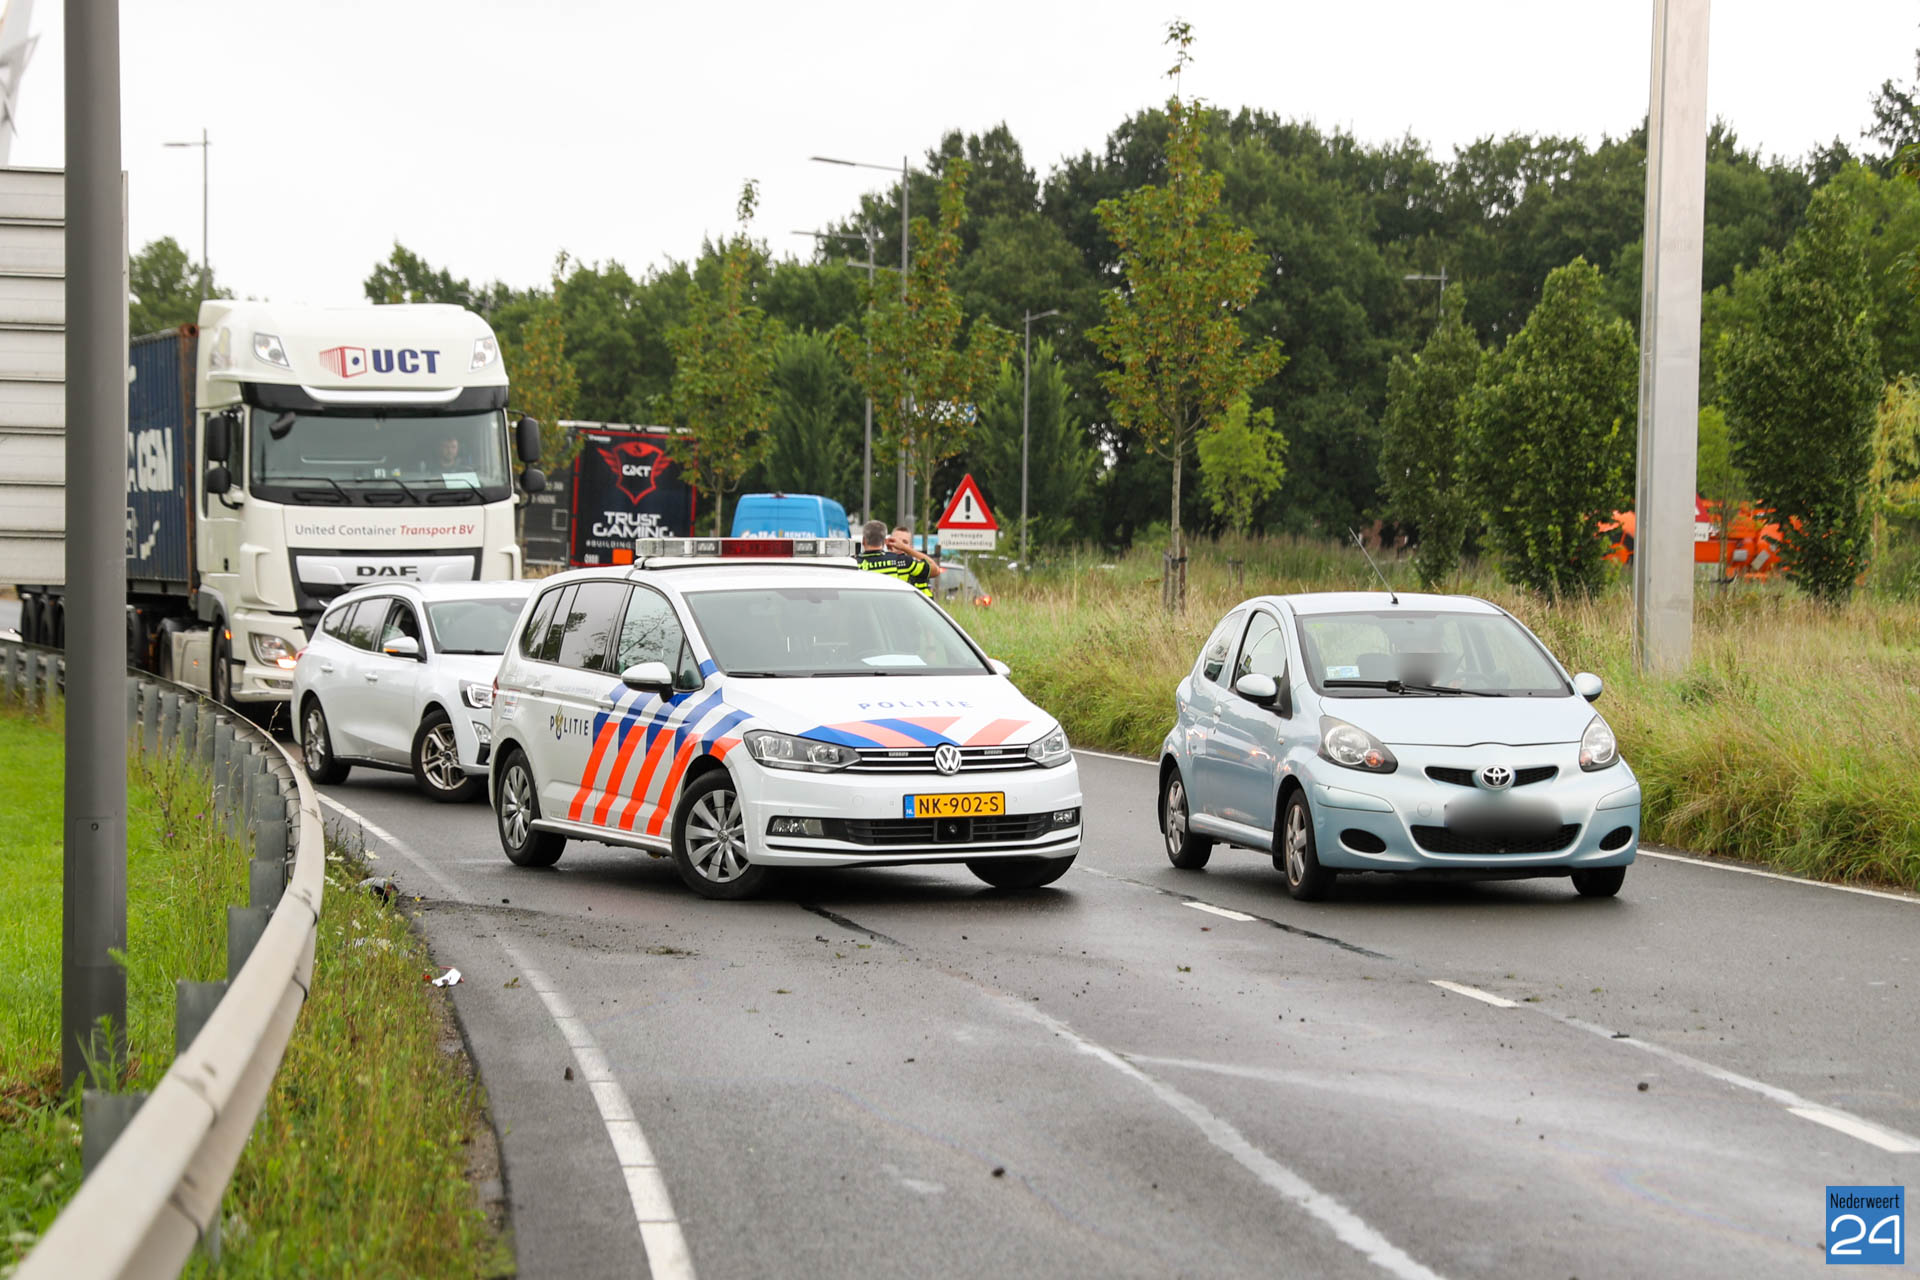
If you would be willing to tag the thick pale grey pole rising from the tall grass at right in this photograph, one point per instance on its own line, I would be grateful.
(1669, 339)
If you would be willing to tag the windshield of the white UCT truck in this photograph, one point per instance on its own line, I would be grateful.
(381, 460)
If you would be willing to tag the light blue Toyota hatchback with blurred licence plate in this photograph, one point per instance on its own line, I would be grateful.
(1378, 732)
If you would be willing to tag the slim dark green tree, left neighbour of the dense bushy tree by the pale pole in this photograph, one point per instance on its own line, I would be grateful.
(1422, 442)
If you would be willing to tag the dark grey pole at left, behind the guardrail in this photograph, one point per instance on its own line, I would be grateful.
(95, 899)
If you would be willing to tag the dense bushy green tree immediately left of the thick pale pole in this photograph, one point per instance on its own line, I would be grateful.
(1550, 435)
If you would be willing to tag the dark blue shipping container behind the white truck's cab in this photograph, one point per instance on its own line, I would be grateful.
(160, 448)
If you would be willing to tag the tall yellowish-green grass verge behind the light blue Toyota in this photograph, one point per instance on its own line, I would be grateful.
(1792, 740)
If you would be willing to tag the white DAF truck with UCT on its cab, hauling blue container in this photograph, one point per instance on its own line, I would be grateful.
(279, 456)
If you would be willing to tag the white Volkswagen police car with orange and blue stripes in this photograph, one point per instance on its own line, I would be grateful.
(752, 703)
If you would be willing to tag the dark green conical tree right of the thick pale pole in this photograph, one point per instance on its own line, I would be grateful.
(1800, 387)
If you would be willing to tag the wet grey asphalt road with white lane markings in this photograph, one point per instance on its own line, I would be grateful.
(903, 1074)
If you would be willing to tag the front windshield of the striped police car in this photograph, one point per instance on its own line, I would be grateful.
(830, 632)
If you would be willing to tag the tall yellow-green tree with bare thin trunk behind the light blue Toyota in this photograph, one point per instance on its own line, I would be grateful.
(1172, 329)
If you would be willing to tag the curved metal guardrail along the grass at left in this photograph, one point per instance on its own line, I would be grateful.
(158, 1191)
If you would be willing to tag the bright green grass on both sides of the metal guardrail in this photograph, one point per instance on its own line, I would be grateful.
(360, 1162)
